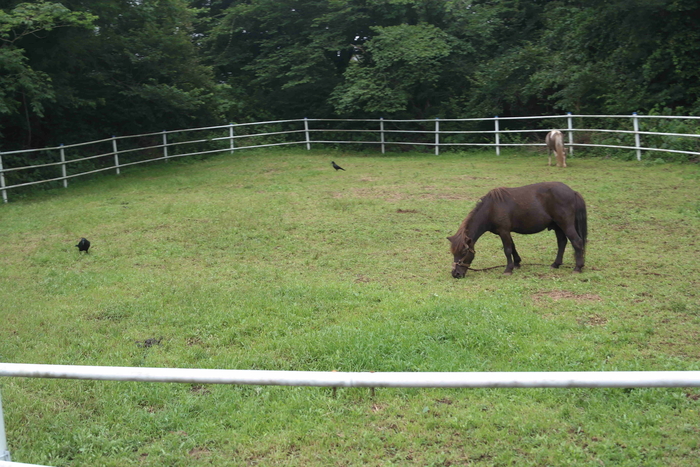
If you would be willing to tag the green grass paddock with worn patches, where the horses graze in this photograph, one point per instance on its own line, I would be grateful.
(272, 260)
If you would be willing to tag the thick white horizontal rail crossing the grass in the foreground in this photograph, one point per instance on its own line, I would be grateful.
(563, 379)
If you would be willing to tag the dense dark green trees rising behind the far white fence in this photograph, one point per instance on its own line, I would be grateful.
(80, 70)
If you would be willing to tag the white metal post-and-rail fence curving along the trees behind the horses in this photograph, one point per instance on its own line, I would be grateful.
(622, 132)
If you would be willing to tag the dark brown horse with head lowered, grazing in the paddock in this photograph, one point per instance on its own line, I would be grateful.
(525, 210)
